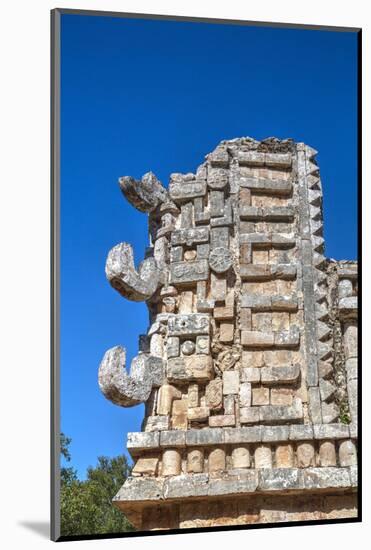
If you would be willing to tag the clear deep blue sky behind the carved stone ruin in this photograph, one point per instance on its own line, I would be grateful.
(141, 95)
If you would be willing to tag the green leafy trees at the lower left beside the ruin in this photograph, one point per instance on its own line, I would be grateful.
(86, 506)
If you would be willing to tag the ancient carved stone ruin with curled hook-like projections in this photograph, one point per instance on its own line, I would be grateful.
(248, 370)
